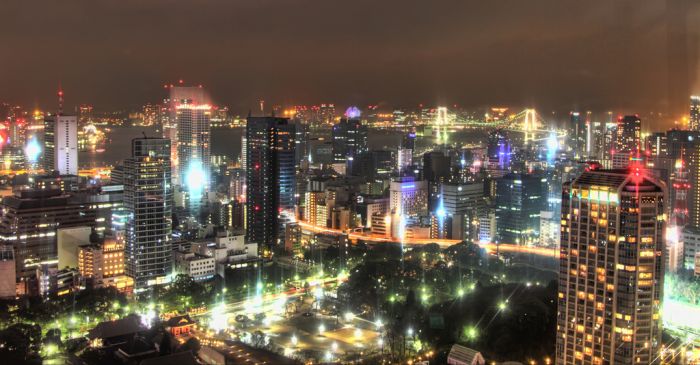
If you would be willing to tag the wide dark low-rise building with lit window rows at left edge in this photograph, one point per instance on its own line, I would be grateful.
(29, 222)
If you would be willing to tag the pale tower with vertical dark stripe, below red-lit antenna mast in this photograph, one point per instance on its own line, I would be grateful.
(61, 144)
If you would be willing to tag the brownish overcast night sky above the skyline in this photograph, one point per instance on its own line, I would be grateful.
(552, 54)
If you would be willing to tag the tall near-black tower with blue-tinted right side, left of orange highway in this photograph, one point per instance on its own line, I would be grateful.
(270, 179)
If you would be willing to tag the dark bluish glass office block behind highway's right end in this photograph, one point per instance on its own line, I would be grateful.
(520, 198)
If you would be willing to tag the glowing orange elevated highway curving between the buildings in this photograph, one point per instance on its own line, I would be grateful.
(444, 243)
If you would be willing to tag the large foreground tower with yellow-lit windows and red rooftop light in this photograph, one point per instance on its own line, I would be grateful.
(611, 269)
